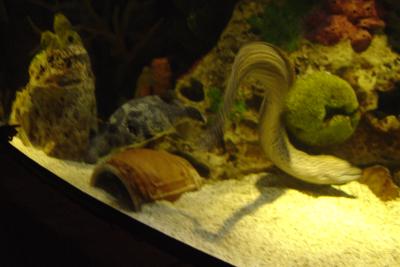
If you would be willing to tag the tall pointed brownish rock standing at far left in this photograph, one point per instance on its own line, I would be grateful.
(57, 108)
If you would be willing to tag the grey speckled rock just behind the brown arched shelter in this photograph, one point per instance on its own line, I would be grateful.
(138, 122)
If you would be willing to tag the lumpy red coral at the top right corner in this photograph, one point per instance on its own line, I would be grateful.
(352, 19)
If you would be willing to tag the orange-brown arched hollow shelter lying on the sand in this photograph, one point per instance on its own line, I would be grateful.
(149, 175)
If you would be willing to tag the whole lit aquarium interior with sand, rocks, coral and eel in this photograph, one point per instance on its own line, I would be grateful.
(261, 132)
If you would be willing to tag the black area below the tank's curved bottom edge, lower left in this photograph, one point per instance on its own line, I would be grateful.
(47, 222)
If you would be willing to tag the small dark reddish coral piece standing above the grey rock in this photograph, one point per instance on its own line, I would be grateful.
(156, 79)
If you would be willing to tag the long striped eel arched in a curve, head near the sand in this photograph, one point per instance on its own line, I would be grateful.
(271, 66)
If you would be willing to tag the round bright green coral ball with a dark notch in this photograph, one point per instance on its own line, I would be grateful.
(321, 110)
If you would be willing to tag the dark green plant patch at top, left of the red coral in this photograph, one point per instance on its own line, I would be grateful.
(281, 22)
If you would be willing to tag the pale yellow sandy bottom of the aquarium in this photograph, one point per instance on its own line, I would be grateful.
(265, 219)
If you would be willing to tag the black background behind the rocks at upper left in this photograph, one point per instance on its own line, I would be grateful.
(121, 36)
